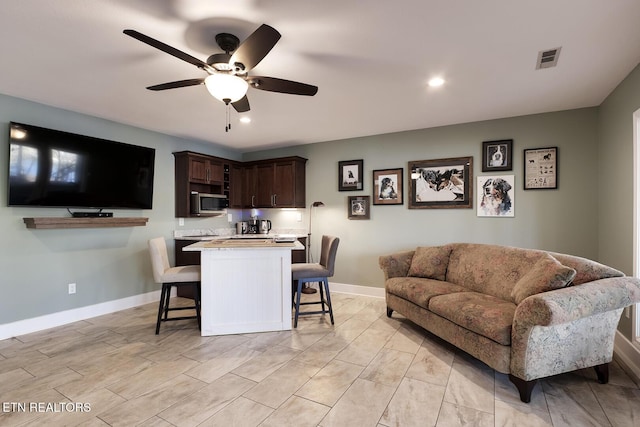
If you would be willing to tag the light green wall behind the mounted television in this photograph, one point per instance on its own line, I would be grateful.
(106, 264)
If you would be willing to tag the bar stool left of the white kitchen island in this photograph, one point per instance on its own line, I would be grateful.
(163, 273)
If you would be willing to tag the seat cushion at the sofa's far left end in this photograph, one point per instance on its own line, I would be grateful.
(418, 290)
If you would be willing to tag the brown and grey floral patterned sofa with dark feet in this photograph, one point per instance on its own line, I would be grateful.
(524, 312)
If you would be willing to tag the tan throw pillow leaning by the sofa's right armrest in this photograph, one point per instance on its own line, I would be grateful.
(546, 275)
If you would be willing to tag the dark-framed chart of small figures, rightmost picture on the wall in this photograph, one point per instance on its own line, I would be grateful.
(541, 168)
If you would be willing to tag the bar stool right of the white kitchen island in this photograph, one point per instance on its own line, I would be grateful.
(315, 272)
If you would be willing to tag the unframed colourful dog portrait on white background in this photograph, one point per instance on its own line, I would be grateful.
(496, 195)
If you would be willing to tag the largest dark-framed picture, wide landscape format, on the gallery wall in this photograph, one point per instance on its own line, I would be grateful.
(441, 183)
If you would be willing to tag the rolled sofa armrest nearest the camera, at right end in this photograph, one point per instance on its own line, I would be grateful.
(569, 328)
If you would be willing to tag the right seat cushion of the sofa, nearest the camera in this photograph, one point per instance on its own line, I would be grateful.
(483, 314)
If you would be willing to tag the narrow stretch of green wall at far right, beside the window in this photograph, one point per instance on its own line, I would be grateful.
(615, 182)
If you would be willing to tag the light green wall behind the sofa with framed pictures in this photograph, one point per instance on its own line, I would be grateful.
(563, 220)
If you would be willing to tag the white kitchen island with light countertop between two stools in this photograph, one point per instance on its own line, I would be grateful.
(246, 285)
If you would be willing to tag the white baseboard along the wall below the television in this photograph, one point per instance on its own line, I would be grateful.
(35, 324)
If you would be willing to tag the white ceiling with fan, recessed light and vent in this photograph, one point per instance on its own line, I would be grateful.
(370, 59)
